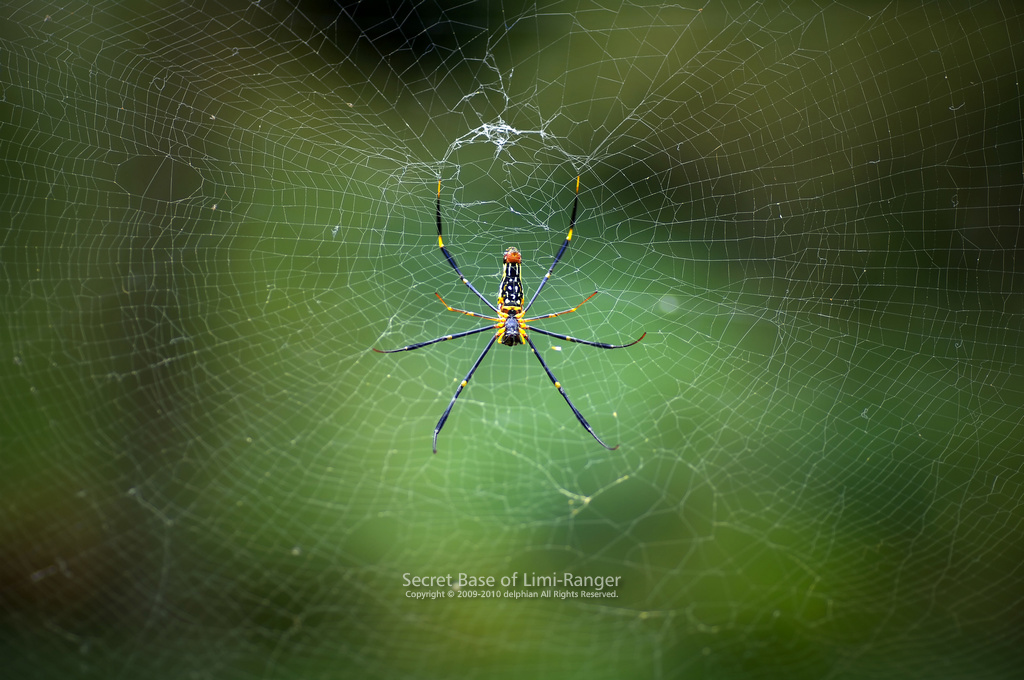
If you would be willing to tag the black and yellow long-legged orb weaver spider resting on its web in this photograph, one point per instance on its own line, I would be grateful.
(511, 322)
